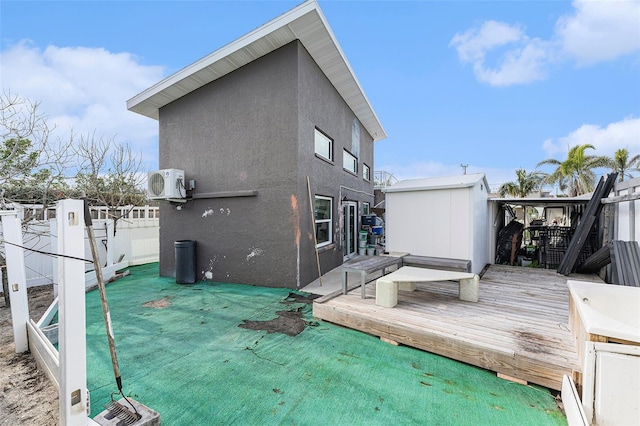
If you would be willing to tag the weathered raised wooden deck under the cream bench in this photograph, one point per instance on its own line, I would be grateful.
(519, 326)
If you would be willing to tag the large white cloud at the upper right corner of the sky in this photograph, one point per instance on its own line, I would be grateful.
(595, 31)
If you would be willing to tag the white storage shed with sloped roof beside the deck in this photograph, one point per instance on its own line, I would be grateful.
(445, 217)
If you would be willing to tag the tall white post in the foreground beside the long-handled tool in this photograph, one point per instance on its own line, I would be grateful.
(71, 314)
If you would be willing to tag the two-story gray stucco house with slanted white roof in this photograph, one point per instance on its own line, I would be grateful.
(249, 123)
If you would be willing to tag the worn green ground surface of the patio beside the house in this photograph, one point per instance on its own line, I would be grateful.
(196, 354)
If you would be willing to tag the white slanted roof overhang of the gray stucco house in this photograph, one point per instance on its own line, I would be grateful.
(306, 23)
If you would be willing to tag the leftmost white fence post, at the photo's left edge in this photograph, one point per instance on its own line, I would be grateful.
(14, 254)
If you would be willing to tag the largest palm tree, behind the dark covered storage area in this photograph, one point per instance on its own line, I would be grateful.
(577, 170)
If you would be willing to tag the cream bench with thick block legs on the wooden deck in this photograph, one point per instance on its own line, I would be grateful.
(406, 278)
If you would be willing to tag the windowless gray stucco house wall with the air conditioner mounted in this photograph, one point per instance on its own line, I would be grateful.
(237, 133)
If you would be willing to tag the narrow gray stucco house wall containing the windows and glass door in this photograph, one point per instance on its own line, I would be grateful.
(321, 106)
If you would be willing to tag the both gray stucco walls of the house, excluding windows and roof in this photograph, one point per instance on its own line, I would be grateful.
(254, 130)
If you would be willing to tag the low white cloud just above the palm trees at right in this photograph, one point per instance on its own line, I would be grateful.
(606, 140)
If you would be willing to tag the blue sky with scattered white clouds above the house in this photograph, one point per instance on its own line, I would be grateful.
(497, 85)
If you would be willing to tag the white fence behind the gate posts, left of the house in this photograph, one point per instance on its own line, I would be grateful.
(136, 240)
